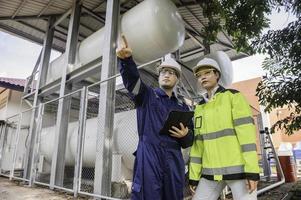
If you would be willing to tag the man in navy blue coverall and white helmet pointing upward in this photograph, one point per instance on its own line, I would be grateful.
(159, 168)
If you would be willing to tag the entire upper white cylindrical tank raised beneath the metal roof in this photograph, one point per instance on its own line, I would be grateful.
(153, 28)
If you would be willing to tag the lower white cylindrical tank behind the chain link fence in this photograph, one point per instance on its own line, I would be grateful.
(125, 138)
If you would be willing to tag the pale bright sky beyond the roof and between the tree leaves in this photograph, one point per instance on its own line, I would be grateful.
(18, 56)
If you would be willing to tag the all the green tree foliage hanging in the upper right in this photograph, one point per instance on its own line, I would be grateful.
(244, 21)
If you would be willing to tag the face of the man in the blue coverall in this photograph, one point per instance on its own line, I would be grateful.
(167, 78)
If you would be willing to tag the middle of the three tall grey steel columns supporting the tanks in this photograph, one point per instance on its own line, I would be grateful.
(58, 156)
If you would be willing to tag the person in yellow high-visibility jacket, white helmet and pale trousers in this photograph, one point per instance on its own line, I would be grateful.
(224, 148)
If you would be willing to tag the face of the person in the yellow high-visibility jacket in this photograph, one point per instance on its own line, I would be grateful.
(207, 77)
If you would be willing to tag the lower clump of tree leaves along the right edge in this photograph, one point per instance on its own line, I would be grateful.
(282, 84)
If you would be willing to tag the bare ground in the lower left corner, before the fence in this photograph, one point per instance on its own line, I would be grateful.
(13, 190)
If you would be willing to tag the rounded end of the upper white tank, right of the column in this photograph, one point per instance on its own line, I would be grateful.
(153, 28)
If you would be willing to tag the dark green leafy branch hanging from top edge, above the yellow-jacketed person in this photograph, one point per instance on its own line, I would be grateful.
(243, 20)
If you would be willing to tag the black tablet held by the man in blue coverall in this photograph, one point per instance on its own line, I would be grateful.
(175, 118)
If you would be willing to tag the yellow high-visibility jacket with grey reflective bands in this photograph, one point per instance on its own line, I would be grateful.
(224, 147)
